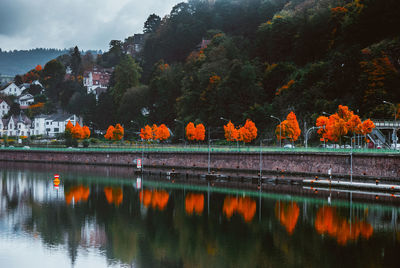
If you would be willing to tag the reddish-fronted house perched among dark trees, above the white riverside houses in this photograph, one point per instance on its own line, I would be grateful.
(97, 78)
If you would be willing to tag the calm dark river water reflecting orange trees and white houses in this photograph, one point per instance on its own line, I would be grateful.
(109, 217)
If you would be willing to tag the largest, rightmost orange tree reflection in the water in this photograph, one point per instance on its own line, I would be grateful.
(328, 221)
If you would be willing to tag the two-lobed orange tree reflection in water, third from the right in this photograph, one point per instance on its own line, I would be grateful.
(244, 206)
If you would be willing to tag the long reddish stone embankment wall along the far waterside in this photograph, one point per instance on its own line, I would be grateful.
(364, 165)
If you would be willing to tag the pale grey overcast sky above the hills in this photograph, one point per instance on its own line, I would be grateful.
(89, 24)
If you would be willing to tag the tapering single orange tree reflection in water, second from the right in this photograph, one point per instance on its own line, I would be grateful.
(287, 214)
